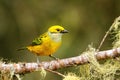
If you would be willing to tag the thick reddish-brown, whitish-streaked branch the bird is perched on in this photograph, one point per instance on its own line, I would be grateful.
(21, 68)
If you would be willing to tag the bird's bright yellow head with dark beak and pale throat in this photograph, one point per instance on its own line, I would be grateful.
(56, 32)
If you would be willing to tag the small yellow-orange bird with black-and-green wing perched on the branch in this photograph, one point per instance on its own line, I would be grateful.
(47, 43)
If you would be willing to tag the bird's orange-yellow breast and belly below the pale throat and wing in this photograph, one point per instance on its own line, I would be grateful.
(48, 47)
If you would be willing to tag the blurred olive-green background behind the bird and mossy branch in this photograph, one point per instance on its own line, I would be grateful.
(23, 20)
